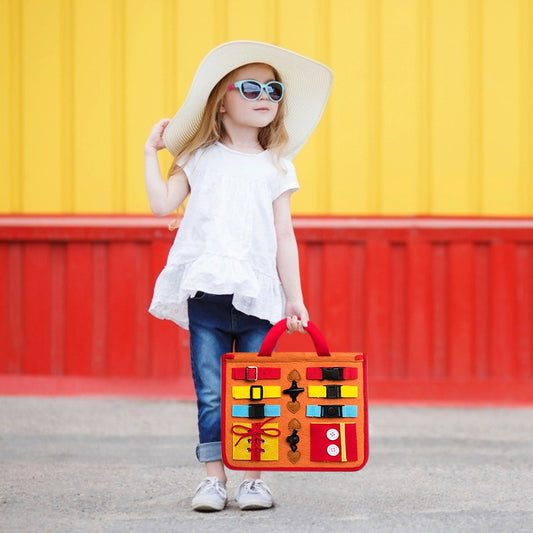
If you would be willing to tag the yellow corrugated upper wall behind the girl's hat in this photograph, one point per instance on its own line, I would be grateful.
(431, 111)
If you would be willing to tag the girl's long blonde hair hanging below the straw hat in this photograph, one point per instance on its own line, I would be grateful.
(272, 137)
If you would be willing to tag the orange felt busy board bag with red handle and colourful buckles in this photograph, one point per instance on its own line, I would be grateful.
(294, 410)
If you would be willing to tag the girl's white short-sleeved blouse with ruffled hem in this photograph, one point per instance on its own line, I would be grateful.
(226, 242)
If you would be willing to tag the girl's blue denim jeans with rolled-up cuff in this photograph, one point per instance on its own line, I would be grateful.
(216, 328)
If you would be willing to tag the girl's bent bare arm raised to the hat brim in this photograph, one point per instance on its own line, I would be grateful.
(163, 196)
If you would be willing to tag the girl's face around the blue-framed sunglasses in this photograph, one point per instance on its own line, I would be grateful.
(240, 112)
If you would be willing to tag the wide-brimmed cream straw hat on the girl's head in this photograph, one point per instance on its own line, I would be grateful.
(307, 86)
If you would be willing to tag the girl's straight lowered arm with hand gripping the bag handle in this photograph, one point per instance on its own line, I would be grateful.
(288, 264)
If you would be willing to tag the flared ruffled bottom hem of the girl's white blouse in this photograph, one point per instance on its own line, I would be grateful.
(254, 292)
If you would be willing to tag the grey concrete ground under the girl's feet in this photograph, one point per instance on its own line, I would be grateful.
(114, 465)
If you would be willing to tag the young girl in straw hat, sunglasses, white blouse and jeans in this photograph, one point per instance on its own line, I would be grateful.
(233, 270)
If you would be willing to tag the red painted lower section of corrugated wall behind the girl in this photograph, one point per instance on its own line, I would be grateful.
(442, 307)
